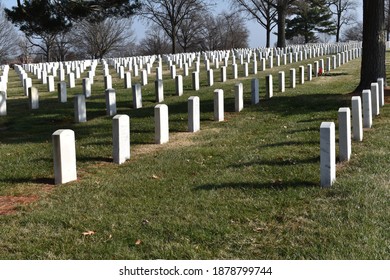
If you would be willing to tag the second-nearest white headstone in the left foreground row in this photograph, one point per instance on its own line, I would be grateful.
(121, 138)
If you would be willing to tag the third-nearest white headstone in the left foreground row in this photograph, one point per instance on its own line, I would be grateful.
(161, 121)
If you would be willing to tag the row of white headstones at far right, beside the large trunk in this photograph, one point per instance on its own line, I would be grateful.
(371, 100)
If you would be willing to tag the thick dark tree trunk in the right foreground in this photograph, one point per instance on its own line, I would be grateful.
(374, 44)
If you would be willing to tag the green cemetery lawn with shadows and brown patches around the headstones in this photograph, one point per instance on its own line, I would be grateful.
(245, 188)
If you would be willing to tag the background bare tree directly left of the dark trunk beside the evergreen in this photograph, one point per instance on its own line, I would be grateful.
(263, 11)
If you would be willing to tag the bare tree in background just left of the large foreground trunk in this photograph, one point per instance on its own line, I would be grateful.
(342, 10)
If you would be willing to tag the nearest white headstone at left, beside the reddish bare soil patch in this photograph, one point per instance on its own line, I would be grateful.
(64, 154)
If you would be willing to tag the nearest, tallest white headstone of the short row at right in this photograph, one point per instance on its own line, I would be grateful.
(328, 154)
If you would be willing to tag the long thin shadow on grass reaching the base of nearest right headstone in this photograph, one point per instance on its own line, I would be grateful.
(276, 185)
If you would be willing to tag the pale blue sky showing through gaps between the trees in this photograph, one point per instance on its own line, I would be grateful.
(256, 32)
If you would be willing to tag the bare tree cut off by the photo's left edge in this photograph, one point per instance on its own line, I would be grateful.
(8, 37)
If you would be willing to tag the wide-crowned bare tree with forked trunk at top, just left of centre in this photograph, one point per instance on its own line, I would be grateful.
(170, 15)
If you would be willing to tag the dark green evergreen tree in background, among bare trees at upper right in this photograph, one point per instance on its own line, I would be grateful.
(310, 17)
